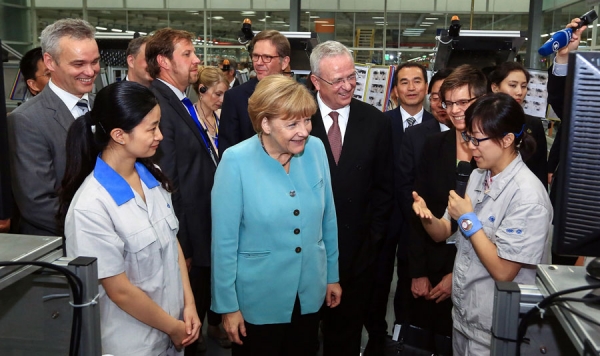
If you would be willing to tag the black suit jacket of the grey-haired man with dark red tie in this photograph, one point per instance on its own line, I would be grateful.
(362, 185)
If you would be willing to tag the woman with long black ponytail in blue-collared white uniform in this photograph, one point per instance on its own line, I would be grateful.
(120, 211)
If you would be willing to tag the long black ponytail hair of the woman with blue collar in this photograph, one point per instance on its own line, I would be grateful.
(119, 105)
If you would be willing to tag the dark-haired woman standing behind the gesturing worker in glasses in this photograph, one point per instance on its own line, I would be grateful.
(512, 78)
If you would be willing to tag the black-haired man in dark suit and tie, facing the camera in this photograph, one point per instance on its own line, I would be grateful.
(410, 87)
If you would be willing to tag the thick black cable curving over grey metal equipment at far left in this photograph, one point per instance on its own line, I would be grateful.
(76, 288)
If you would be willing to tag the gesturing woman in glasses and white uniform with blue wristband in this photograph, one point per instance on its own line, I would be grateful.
(503, 219)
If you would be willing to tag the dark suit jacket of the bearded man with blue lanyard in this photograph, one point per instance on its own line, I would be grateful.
(183, 156)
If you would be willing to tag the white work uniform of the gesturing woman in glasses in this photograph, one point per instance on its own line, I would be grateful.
(516, 214)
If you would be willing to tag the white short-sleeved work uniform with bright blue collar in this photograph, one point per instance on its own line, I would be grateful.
(108, 220)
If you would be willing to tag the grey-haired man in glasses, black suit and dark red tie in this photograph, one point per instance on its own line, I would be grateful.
(358, 144)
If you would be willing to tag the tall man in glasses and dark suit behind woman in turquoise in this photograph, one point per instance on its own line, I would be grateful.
(271, 55)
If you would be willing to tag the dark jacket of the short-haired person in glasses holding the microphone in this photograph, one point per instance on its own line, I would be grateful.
(435, 177)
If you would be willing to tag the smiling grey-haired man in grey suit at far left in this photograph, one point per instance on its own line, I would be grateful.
(37, 130)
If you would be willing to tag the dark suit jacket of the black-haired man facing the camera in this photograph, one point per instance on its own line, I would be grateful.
(398, 229)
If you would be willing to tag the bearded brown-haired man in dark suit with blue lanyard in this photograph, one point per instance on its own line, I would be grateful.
(185, 155)
